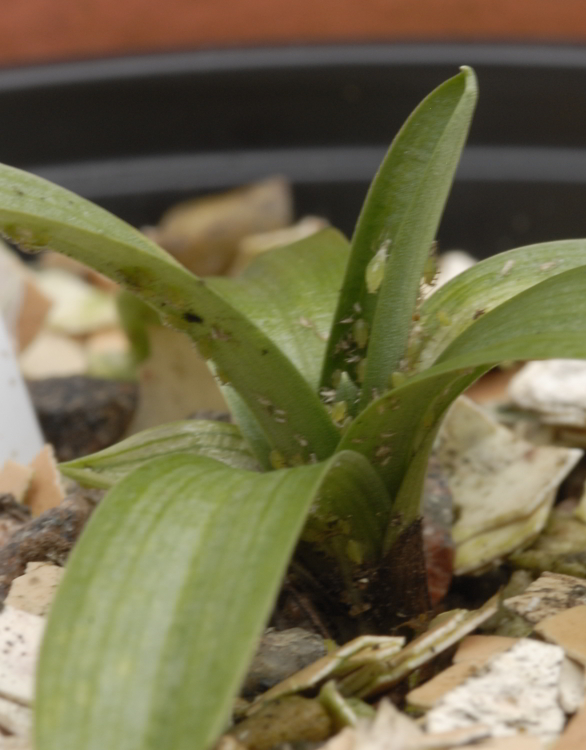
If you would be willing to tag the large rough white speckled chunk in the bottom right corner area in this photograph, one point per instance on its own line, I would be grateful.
(517, 691)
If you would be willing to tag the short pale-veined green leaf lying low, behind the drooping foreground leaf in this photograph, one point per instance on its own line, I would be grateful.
(198, 437)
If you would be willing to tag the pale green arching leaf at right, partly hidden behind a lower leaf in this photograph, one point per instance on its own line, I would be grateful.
(455, 306)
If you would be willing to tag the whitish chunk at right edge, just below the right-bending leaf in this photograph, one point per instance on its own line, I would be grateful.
(555, 389)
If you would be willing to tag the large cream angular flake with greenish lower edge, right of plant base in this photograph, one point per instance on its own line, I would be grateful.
(502, 487)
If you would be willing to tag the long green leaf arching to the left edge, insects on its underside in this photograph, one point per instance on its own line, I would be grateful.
(36, 214)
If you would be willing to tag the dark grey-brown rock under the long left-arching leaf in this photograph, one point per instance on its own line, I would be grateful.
(81, 415)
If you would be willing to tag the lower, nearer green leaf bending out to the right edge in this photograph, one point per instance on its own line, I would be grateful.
(546, 320)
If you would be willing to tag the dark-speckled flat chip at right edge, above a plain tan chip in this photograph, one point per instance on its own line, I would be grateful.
(549, 594)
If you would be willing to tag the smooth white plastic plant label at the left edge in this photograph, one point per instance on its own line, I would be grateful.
(20, 434)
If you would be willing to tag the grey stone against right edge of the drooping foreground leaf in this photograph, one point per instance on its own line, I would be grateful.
(279, 655)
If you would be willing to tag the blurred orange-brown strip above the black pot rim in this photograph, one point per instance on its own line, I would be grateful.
(36, 30)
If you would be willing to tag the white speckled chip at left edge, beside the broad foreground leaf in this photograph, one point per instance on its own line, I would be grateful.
(20, 639)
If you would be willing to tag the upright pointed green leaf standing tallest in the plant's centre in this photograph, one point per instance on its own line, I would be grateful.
(400, 217)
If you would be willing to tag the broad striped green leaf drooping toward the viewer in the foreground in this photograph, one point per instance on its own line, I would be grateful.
(151, 633)
